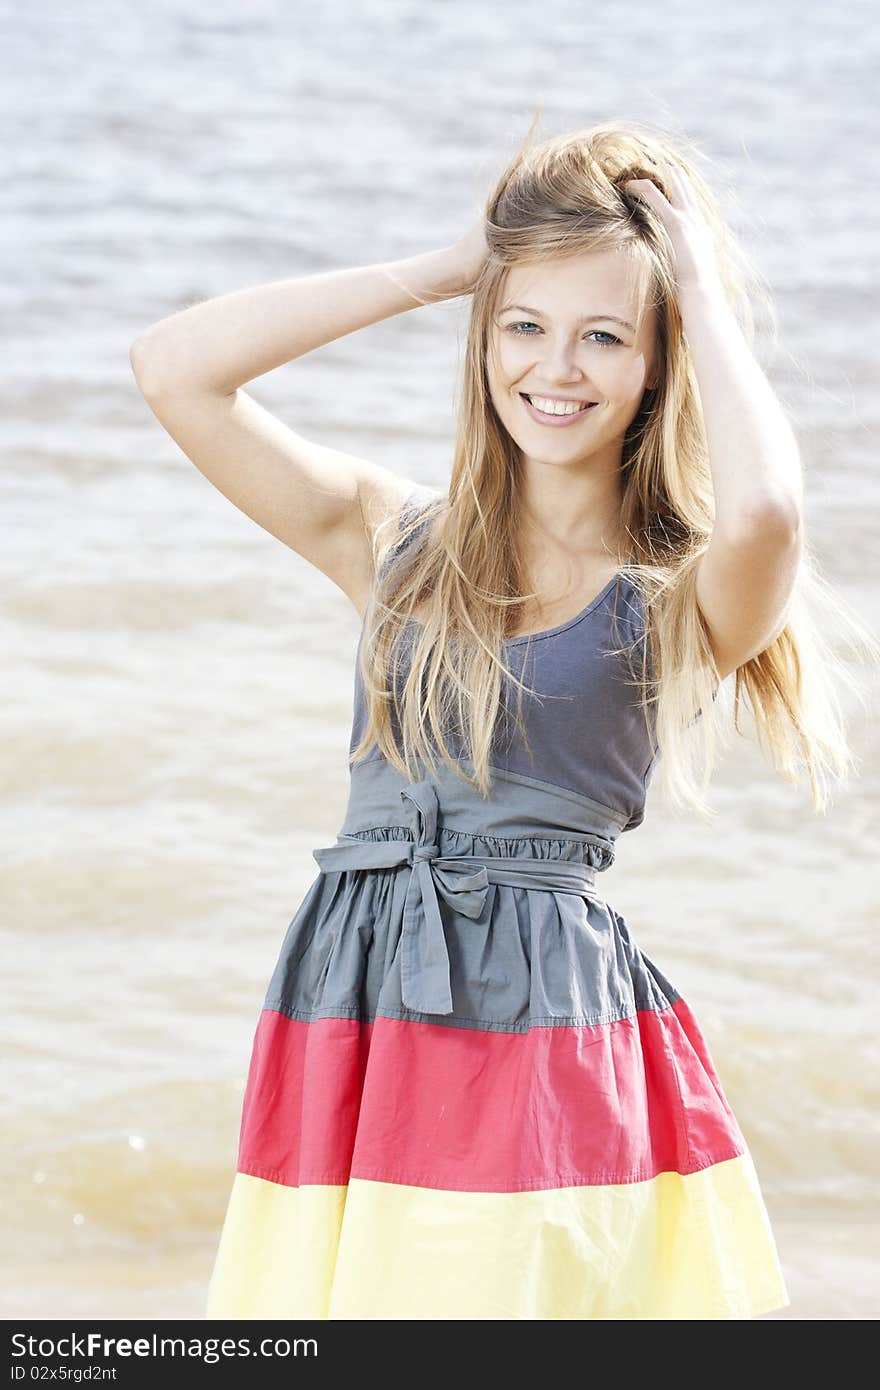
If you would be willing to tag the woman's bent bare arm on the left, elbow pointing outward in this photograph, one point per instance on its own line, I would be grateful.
(190, 368)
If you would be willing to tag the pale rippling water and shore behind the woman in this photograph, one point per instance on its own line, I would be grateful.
(180, 685)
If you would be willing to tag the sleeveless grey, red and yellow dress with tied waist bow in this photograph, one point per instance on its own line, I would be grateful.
(472, 1096)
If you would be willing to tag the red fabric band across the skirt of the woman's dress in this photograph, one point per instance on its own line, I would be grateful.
(466, 1110)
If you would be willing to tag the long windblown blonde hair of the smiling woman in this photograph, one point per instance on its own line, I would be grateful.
(565, 198)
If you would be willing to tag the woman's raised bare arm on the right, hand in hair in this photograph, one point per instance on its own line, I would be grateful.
(747, 575)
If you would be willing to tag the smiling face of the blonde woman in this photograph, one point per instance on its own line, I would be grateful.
(558, 337)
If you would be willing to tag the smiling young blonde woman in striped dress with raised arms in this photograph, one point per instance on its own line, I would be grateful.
(471, 1093)
